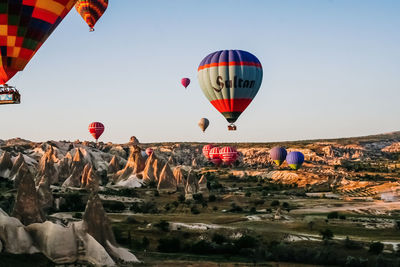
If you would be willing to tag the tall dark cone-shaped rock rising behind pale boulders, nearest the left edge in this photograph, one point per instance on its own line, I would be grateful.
(26, 207)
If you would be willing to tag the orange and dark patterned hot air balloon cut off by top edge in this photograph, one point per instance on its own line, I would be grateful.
(91, 11)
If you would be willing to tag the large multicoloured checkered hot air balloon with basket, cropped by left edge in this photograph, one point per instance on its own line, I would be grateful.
(24, 27)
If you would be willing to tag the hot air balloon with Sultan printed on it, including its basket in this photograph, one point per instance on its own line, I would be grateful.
(230, 79)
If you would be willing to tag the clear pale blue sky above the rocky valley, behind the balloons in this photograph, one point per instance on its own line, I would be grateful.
(331, 69)
